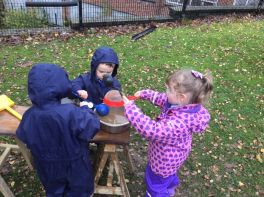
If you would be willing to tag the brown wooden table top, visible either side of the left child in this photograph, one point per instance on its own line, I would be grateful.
(9, 124)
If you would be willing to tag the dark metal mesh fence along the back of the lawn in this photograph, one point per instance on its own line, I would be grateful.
(28, 14)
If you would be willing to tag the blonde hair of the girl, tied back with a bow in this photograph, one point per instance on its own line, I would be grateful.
(198, 86)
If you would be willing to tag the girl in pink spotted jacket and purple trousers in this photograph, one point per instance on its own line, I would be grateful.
(170, 134)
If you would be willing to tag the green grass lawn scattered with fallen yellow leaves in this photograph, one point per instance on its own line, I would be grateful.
(224, 159)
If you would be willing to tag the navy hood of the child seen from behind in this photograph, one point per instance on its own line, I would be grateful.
(47, 83)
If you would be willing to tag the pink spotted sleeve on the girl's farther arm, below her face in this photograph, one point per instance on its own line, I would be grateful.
(154, 97)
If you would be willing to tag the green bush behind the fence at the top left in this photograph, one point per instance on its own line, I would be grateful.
(22, 19)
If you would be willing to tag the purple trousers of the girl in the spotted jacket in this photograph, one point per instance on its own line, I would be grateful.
(157, 186)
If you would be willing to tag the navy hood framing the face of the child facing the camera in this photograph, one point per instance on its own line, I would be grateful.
(104, 55)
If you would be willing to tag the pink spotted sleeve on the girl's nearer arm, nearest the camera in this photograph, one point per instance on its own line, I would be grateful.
(162, 130)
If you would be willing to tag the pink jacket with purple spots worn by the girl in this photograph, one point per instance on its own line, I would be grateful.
(170, 135)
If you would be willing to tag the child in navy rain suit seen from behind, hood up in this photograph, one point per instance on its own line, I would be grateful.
(57, 134)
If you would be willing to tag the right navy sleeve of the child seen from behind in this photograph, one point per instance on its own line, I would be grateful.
(85, 123)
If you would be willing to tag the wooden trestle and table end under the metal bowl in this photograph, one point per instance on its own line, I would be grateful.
(109, 151)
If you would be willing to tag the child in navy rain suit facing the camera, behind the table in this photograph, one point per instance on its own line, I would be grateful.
(90, 85)
